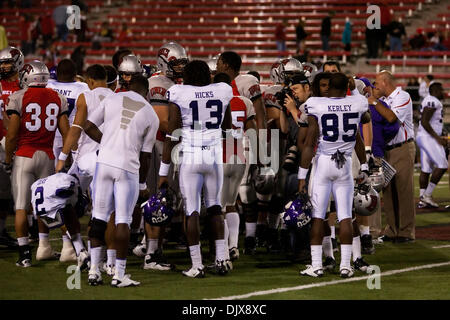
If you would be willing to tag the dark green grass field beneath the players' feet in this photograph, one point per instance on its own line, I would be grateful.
(47, 280)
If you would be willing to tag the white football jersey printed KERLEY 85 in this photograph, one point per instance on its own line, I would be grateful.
(338, 120)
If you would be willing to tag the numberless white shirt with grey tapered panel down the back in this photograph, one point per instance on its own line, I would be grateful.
(129, 128)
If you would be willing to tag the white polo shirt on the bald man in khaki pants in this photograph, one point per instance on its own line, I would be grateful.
(401, 104)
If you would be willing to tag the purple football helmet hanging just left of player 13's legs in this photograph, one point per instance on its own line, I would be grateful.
(158, 209)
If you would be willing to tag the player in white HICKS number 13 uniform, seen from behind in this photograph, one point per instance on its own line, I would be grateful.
(201, 110)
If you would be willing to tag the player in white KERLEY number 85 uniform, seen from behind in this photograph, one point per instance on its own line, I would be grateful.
(334, 123)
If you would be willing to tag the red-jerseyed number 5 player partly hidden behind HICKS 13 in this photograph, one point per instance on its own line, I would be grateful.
(243, 114)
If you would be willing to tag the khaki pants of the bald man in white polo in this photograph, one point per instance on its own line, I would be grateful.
(399, 195)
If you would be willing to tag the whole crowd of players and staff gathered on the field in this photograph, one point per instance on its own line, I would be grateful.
(186, 143)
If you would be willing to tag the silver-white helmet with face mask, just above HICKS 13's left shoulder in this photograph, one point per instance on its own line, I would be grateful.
(171, 60)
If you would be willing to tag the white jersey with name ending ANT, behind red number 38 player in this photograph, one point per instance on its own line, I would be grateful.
(70, 90)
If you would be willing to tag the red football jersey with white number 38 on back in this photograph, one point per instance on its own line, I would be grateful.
(39, 110)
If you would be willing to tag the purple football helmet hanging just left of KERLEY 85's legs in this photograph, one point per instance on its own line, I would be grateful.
(298, 212)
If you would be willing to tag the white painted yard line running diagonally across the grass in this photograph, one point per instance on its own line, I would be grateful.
(329, 283)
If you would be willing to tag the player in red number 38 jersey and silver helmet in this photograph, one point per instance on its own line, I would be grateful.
(35, 112)
